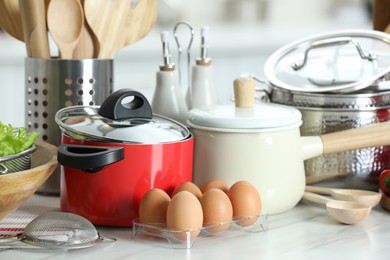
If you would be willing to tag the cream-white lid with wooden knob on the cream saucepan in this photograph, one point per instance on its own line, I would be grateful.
(244, 116)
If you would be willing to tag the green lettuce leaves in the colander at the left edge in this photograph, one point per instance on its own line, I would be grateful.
(13, 141)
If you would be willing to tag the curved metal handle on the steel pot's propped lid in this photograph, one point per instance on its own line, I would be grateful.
(333, 42)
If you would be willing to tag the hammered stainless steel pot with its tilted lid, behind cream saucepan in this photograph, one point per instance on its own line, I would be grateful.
(338, 81)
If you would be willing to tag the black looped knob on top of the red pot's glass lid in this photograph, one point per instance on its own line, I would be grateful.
(113, 107)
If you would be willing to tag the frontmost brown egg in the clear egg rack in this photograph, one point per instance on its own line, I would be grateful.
(185, 213)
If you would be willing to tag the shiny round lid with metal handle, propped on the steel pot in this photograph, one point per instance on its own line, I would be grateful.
(338, 62)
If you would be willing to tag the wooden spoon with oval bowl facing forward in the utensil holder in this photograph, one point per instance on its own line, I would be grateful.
(65, 20)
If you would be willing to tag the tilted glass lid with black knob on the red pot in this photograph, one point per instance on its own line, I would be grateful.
(120, 120)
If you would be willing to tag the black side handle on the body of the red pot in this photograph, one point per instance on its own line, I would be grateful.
(90, 159)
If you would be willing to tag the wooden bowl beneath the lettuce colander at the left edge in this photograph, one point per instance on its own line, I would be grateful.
(17, 187)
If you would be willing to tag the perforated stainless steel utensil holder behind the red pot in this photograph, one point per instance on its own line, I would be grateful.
(52, 84)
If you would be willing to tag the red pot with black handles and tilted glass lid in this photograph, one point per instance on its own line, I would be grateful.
(111, 155)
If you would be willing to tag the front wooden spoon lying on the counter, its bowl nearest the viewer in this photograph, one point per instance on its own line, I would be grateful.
(347, 212)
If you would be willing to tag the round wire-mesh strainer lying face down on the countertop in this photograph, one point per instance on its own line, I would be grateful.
(60, 230)
